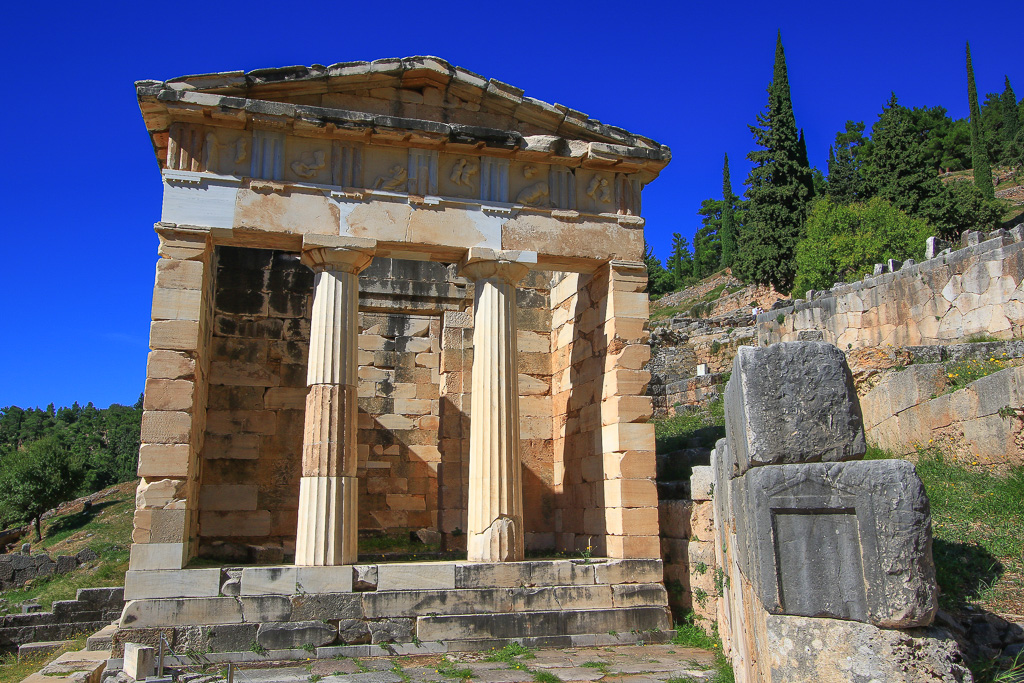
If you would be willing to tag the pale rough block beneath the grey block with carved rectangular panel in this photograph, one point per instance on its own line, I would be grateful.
(813, 651)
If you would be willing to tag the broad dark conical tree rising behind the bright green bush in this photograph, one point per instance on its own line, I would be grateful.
(898, 170)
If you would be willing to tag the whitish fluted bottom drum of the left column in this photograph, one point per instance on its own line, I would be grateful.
(328, 533)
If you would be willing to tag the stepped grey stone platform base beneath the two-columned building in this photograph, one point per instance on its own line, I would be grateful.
(423, 608)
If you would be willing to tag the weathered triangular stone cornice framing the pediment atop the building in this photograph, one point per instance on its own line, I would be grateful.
(235, 101)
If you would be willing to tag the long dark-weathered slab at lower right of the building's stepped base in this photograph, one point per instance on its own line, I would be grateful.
(532, 625)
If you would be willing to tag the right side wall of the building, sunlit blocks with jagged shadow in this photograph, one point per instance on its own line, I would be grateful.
(605, 448)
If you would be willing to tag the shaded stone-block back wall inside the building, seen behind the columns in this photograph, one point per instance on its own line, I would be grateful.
(415, 355)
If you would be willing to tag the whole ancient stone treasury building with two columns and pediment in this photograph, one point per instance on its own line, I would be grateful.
(394, 298)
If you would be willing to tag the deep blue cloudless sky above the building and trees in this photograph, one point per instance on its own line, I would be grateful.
(81, 187)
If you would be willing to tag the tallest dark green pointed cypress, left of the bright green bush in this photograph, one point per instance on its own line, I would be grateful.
(779, 188)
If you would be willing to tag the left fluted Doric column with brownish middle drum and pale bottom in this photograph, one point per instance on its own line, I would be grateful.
(328, 528)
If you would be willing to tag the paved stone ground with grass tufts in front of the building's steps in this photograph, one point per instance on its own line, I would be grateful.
(621, 664)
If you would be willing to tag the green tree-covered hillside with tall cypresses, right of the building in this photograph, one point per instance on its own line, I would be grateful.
(889, 184)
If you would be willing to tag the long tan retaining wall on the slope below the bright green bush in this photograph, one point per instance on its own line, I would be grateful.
(976, 290)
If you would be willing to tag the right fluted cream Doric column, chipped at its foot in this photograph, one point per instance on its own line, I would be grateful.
(496, 533)
